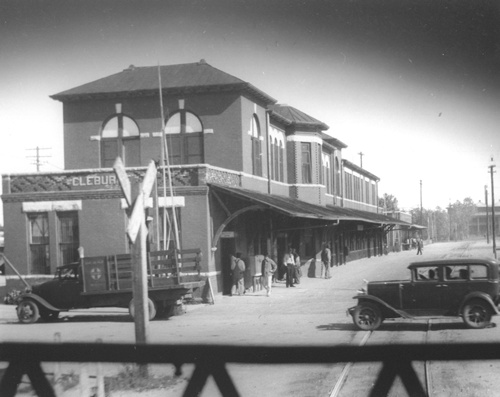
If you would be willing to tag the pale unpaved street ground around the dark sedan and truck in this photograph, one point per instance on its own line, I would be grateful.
(314, 313)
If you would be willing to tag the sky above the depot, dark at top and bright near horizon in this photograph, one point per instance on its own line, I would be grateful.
(412, 85)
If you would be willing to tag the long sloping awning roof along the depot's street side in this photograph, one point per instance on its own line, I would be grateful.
(300, 209)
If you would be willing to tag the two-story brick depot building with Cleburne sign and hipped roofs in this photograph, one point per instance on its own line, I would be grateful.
(248, 175)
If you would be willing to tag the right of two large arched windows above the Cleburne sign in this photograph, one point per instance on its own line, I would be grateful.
(185, 138)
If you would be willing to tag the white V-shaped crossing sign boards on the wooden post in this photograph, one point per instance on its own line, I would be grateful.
(137, 215)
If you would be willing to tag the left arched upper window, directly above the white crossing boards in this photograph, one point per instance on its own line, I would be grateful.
(120, 138)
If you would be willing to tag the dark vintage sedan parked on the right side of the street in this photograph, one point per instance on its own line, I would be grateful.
(466, 288)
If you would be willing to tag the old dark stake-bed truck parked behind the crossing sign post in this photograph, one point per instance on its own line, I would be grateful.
(106, 281)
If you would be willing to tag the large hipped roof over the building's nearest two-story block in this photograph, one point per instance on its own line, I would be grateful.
(189, 77)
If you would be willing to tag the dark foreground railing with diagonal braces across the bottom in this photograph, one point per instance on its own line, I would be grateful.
(211, 360)
